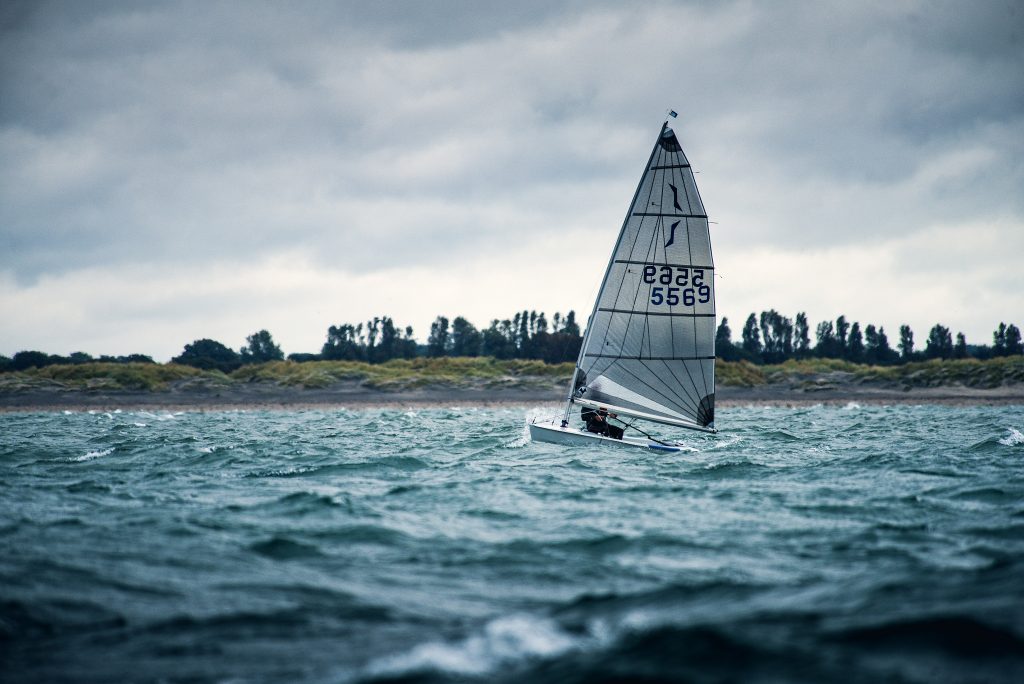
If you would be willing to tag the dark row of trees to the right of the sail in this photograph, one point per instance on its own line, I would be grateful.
(774, 338)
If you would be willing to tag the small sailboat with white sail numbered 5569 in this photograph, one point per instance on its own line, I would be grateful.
(649, 353)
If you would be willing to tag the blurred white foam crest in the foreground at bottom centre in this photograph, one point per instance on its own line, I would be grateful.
(504, 642)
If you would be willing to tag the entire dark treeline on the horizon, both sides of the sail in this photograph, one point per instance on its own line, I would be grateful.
(769, 338)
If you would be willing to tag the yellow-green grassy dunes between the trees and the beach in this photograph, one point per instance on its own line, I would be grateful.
(489, 373)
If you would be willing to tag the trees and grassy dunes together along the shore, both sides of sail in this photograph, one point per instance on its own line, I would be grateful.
(528, 351)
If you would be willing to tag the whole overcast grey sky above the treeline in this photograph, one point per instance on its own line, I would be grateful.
(184, 170)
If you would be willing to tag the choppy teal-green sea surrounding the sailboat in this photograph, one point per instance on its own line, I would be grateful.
(857, 544)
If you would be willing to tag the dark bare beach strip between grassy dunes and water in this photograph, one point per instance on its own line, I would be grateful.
(347, 397)
